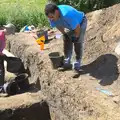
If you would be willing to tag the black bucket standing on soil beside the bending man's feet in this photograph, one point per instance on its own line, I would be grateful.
(56, 59)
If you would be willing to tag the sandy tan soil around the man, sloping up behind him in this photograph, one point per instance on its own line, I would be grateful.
(79, 96)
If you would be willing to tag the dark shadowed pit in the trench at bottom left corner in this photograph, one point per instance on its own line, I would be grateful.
(37, 111)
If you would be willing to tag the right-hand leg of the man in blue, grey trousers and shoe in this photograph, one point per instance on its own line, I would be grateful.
(78, 45)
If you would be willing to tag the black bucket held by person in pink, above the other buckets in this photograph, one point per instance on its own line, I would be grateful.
(15, 65)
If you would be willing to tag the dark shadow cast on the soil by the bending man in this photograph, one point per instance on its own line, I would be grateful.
(103, 68)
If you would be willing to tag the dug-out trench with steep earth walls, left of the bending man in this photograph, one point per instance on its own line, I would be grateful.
(32, 104)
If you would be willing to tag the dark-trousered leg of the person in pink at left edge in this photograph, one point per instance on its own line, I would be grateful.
(2, 72)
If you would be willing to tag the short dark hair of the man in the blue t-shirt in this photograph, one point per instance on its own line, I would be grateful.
(50, 8)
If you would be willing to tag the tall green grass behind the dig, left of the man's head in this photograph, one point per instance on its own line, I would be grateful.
(23, 12)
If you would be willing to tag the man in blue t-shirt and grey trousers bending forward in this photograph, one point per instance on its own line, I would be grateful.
(72, 24)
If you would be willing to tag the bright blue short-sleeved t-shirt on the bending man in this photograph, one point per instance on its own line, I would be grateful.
(69, 17)
